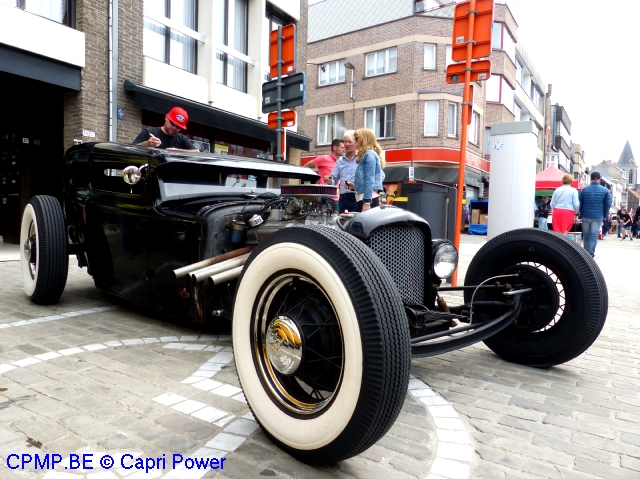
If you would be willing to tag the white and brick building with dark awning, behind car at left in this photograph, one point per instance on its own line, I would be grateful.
(100, 71)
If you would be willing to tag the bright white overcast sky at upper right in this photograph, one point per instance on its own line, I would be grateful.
(587, 50)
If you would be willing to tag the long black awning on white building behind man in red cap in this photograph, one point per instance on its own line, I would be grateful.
(161, 102)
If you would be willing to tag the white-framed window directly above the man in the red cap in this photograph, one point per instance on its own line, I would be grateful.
(165, 43)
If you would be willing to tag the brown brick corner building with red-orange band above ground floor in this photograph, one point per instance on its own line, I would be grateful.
(382, 66)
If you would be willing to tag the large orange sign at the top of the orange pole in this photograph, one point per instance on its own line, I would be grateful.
(481, 30)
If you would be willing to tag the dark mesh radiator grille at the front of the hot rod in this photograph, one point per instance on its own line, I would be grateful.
(401, 249)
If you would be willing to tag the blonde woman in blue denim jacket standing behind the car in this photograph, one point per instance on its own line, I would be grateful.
(369, 173)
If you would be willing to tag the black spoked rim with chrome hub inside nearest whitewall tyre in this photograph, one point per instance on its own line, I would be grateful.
(293, 311)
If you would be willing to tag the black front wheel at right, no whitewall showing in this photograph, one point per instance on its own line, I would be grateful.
(567, 307)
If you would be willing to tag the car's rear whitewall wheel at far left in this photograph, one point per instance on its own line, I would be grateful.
(44, 258)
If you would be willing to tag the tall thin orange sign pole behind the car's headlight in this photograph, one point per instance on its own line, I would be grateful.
(467, 111)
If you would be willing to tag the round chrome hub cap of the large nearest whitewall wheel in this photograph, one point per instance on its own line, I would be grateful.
(284, 345)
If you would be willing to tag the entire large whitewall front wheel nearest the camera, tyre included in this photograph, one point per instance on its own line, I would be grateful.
(321, 343)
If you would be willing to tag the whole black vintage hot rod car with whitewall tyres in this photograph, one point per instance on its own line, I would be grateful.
(326, 311)
